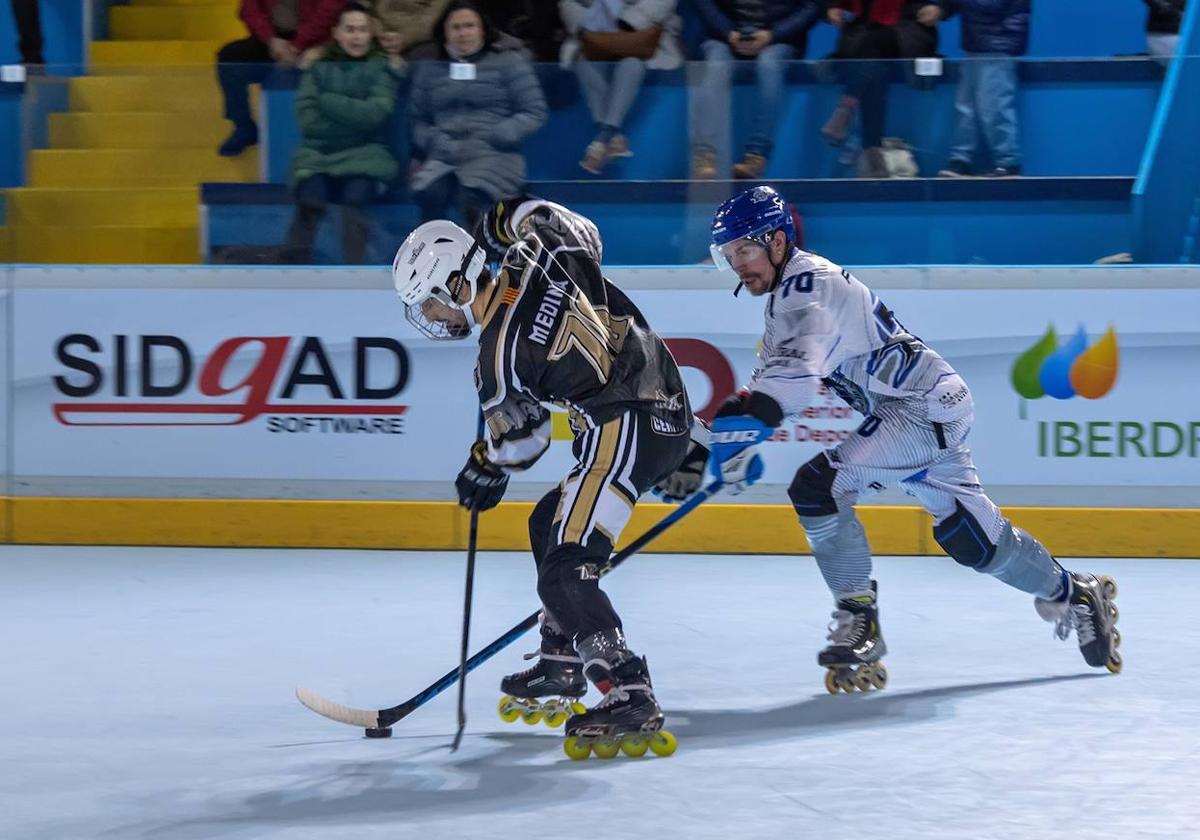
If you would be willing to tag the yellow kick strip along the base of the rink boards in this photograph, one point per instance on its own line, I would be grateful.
(715, 529)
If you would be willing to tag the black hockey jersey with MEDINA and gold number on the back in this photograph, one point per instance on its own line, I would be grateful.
(557, 332)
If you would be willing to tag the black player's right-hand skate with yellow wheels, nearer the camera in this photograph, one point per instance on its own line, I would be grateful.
(627, 721)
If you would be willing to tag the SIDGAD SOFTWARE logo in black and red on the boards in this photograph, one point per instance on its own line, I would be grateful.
(235, 383)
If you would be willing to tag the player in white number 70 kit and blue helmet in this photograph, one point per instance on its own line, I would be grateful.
(826, 327)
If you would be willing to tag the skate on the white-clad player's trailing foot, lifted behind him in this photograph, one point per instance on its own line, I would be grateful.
(1091, 611)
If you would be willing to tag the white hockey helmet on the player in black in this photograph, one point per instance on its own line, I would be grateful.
(431, 265)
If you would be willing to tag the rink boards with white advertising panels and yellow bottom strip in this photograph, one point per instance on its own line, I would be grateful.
(235, 403)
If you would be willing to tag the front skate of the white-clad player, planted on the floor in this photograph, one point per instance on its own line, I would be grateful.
(856, 645)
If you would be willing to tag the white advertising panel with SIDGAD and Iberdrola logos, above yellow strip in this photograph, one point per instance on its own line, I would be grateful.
(1072, 386)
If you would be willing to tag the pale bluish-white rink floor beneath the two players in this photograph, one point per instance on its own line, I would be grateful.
(147, 693)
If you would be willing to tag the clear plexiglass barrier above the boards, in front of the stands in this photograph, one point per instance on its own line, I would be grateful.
(933, 161)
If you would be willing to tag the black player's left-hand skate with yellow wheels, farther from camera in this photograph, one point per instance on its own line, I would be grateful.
(550, 691)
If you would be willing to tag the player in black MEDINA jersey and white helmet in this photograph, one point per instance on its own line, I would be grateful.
(554, 331)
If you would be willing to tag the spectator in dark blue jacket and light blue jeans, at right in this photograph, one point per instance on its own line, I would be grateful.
(993, 33)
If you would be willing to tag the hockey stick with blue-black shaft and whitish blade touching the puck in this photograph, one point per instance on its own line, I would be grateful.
(385, 718)
